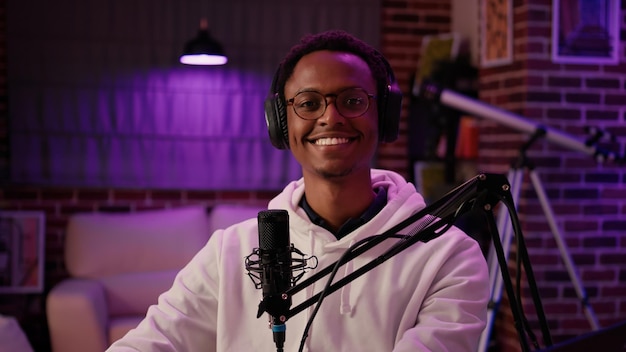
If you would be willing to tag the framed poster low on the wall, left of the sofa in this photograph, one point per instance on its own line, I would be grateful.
(21, 251)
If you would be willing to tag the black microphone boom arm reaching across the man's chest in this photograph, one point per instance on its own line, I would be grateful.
(484, 191)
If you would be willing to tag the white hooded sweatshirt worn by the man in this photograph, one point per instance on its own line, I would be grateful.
(431, 297)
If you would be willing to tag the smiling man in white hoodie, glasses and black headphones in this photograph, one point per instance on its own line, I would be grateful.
(331, 93)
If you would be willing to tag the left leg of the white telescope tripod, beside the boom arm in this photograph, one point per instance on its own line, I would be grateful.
(515, 177)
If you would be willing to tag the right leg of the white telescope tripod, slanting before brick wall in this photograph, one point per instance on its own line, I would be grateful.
(580, 291)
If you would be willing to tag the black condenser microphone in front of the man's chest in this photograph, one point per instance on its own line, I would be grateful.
(275, 270)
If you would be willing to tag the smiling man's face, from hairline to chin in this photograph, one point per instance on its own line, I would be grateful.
(332, 145)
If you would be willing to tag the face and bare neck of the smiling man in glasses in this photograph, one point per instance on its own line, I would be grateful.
(333, 132)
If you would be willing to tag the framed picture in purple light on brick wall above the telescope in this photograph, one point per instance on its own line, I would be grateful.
(585, 31)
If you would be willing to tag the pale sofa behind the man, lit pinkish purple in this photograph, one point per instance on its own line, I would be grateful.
(118, 266)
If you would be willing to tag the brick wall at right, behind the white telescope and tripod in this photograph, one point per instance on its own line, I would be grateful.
(586, 197)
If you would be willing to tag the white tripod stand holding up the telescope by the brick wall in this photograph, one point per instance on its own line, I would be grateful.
(515, 176)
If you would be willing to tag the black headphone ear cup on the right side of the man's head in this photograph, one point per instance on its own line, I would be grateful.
(389, 119)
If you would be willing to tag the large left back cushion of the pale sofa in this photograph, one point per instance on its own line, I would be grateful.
(104, 244)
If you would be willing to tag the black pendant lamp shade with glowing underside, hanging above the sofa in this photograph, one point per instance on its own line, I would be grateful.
(203, 49)
